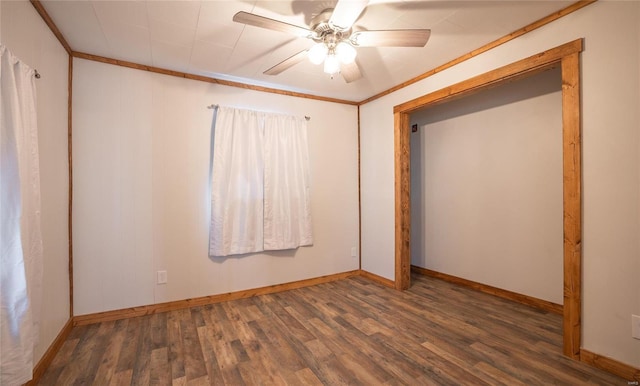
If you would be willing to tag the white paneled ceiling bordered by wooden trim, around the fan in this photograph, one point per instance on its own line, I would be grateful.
(200, 37)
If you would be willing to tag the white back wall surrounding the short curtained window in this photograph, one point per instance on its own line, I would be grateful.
(141, 167)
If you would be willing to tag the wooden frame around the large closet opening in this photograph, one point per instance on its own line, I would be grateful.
(567, 56)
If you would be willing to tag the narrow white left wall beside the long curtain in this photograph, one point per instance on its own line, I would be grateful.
(29, 38)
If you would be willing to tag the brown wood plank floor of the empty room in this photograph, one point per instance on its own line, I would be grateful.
(352, 331)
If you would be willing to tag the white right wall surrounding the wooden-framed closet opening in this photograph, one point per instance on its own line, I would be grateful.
(611, 162)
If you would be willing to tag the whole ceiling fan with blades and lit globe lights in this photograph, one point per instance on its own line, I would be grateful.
(336, 38)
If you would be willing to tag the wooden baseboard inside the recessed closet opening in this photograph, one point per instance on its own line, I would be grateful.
(505, 294)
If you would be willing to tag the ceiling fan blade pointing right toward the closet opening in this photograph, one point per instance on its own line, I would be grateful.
(391, 38)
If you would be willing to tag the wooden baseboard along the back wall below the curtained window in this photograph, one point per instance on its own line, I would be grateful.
(132, 312)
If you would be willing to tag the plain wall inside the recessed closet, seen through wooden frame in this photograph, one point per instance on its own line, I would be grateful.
(486, 187)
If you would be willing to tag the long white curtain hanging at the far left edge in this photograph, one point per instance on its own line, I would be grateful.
(20, 234)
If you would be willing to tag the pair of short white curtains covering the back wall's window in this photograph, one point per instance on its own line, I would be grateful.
(260, 196)
